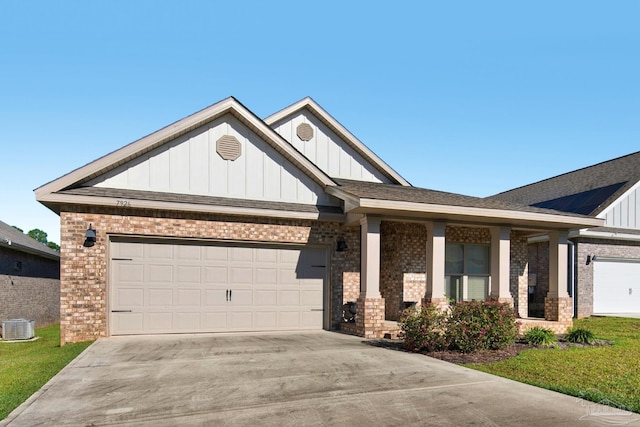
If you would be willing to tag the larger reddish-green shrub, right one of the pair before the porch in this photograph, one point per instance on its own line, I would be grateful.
(481, 325)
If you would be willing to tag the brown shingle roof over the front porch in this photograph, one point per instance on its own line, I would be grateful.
(372, 190)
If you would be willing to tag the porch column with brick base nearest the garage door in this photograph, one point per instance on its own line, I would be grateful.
(371, 311)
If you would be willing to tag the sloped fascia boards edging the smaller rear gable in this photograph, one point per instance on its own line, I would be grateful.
(343, 132)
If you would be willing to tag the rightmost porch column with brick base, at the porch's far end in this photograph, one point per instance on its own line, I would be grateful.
(558, 304)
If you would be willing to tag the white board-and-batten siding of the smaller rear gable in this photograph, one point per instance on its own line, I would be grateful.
(327, 150)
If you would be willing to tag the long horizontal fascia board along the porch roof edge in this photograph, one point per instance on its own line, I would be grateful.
(482, 213)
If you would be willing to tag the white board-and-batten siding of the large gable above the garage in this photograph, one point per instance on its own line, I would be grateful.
(190, 165)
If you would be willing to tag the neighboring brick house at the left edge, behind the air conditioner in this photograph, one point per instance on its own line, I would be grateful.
(29, 279)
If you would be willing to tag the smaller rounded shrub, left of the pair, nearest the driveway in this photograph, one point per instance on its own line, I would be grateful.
(423, 329)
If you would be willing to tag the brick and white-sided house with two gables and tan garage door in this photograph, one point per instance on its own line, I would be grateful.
(223, 221)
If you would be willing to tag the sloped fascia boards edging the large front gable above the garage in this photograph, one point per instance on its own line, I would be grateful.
(228, 105)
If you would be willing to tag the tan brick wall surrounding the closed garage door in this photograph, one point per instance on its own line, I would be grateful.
(84, 270)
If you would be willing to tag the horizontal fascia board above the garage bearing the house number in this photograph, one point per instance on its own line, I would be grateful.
(188, 207)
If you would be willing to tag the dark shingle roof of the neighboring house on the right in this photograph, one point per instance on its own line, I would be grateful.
(623, 171)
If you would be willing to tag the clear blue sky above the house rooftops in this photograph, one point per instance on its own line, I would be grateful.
(462, 96)
